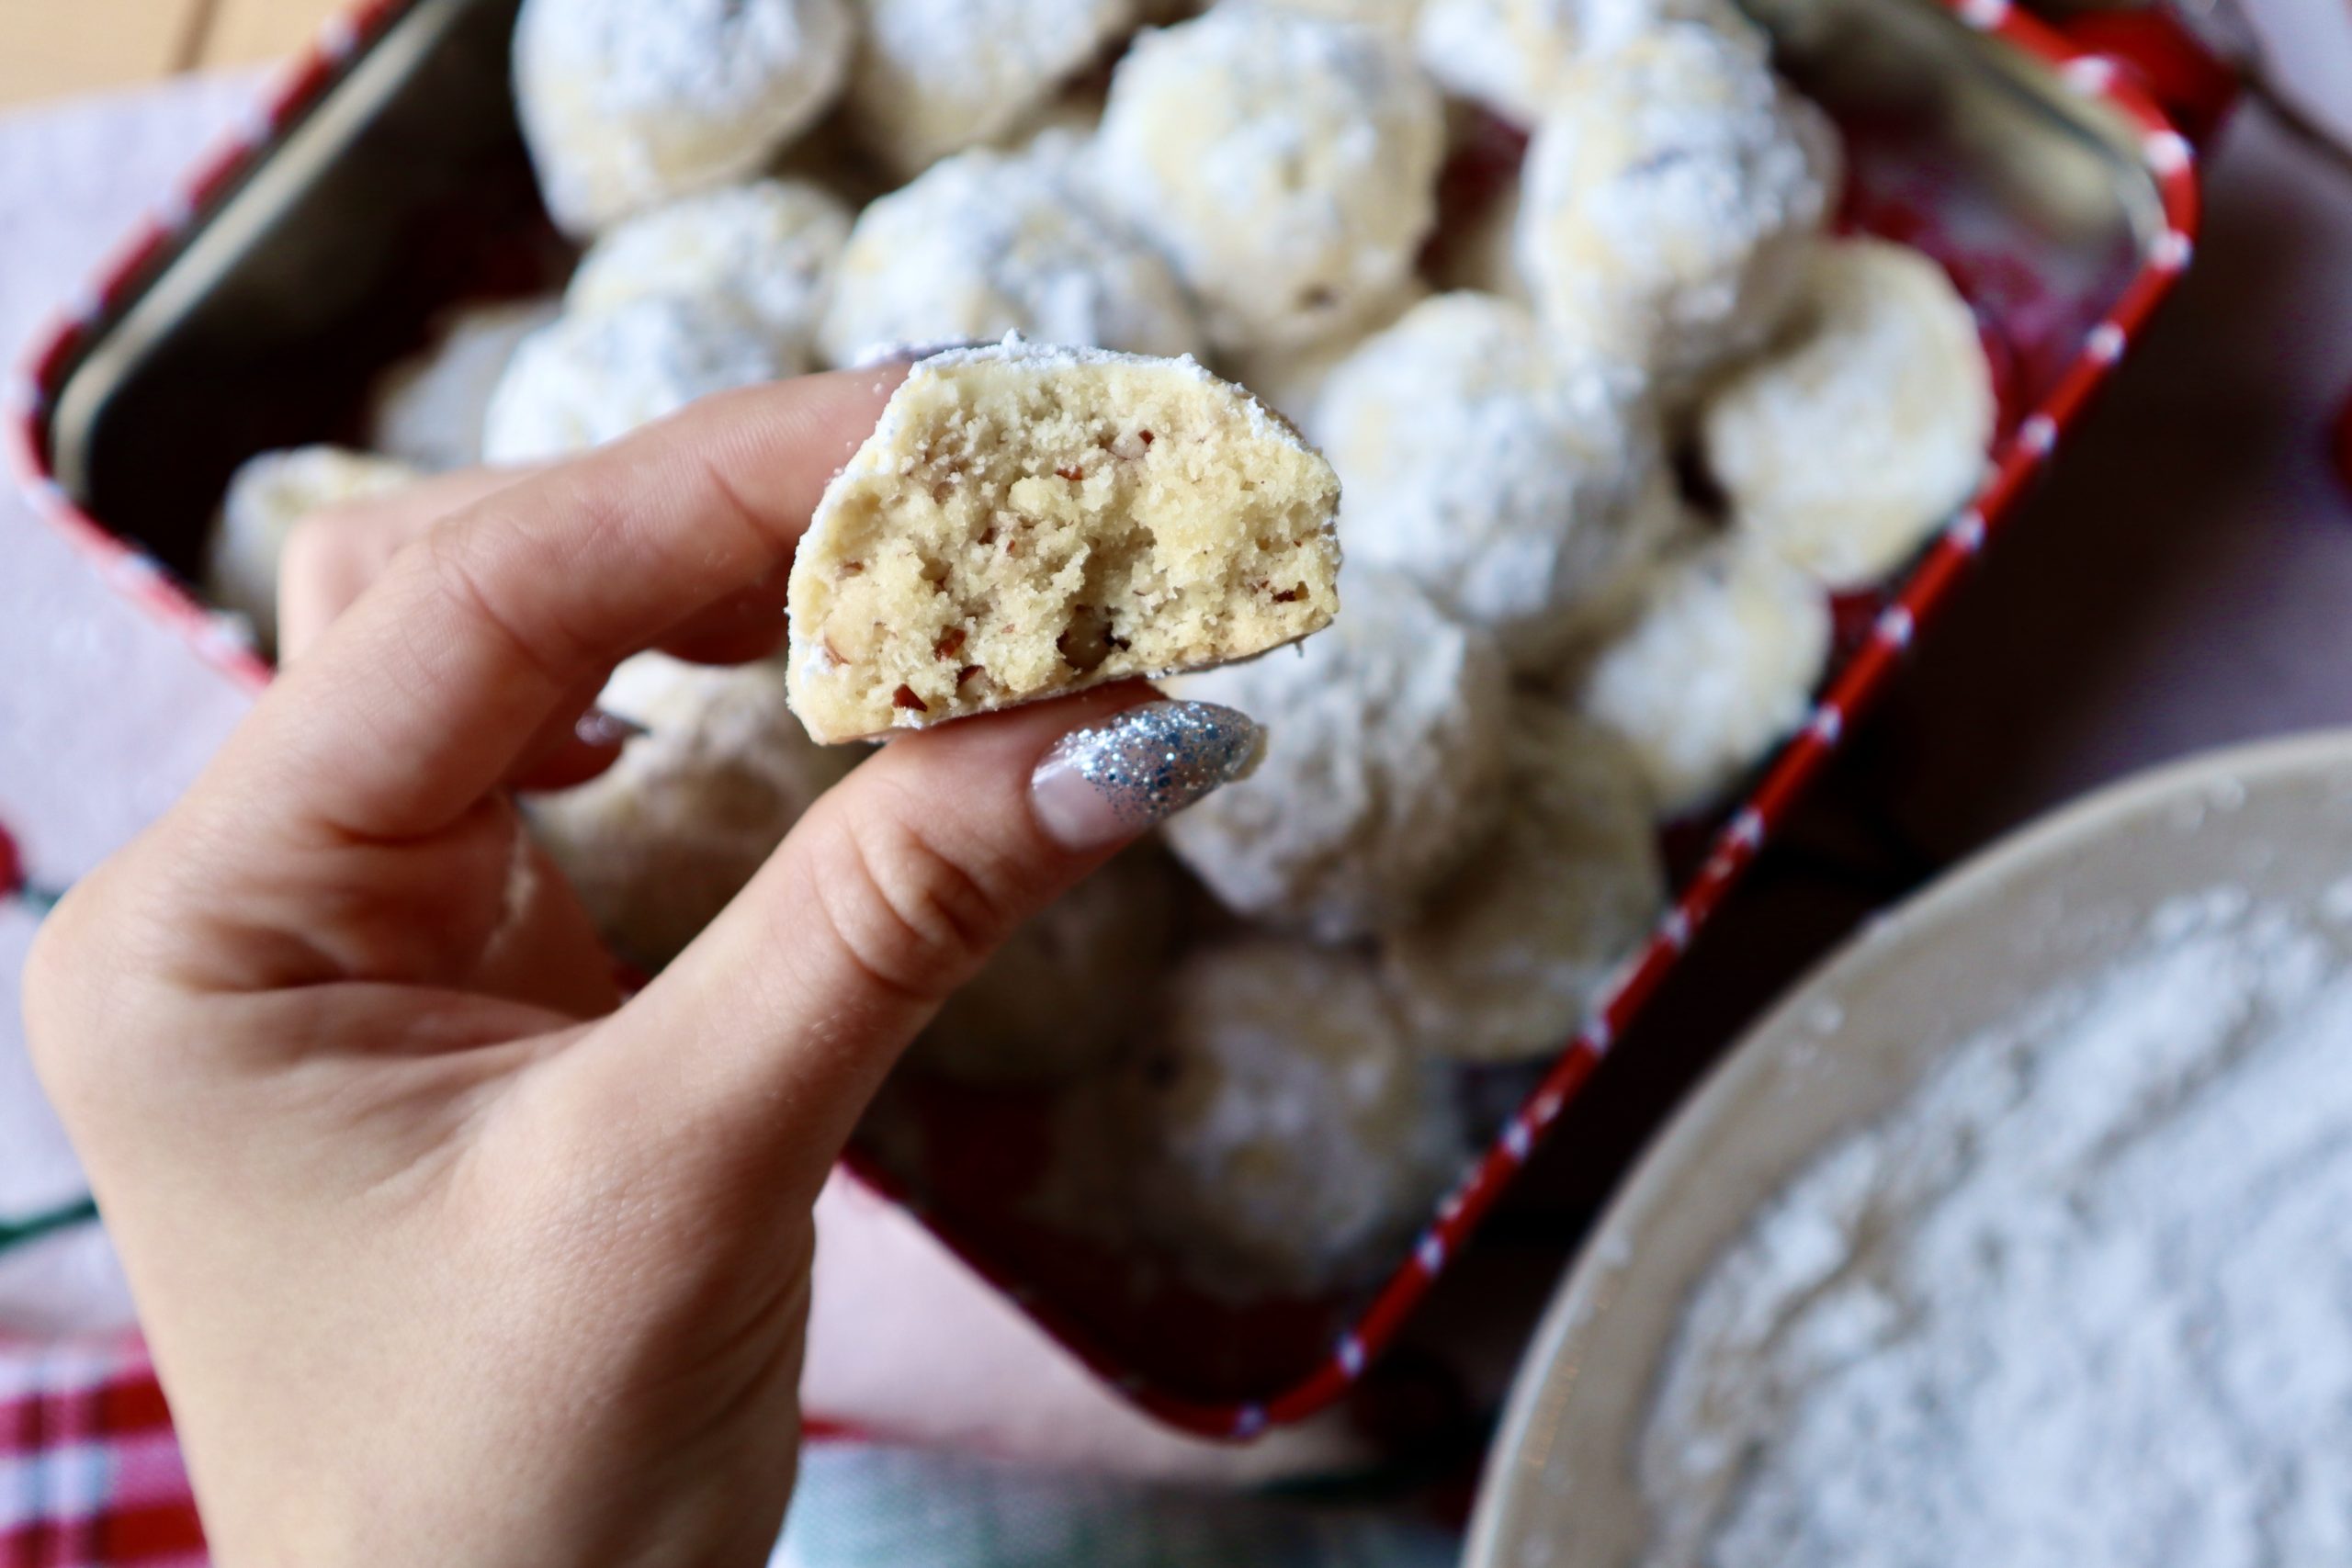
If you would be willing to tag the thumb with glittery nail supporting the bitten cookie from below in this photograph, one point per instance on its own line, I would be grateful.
(775, 1028)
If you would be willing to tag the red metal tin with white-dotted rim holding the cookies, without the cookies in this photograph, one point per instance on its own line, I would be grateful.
(385, 177)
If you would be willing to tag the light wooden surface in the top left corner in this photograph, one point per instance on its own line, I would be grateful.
(60, 48)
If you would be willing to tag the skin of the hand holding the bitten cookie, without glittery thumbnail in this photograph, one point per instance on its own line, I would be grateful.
(446, 1254)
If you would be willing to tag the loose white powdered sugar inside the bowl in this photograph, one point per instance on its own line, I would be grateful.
(2085, 1299)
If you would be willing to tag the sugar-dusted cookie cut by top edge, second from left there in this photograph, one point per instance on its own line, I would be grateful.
(940, 76)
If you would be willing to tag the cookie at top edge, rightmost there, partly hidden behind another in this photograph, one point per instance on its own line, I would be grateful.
(1514, 55)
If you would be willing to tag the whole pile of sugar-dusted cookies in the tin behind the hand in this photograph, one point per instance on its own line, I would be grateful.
(1608, 445)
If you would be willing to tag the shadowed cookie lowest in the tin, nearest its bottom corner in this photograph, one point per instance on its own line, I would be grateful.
(1285, 1134)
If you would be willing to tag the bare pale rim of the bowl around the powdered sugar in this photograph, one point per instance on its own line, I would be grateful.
(2054, 902)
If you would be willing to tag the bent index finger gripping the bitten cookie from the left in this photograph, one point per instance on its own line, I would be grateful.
(422, 697)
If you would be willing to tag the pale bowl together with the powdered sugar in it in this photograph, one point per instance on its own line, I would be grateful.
(2012, 1235)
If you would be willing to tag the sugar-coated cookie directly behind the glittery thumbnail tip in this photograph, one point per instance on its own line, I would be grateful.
(1384, 768)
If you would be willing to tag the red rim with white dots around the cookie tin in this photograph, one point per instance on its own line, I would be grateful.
(1850, 692)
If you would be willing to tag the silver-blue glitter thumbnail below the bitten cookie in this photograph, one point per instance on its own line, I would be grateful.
(1111, 782)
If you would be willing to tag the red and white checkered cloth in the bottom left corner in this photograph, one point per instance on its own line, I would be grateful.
(91, 1475)
